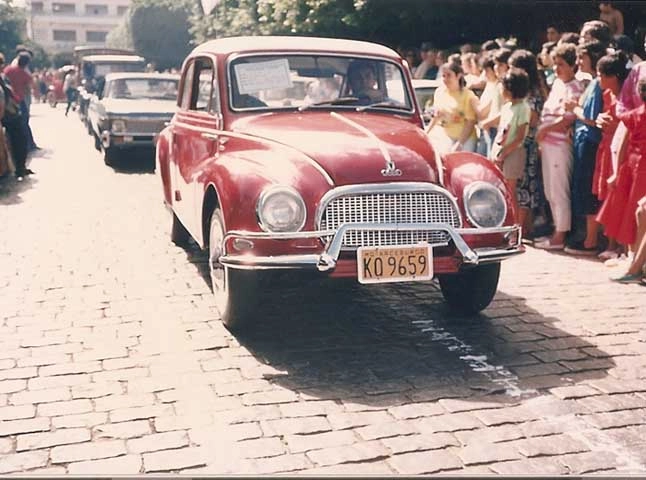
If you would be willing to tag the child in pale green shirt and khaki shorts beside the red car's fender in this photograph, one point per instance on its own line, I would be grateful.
(508, 151)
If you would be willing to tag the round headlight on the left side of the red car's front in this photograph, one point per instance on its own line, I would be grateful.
(281, 209)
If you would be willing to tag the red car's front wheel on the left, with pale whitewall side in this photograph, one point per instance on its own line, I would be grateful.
(235, 291)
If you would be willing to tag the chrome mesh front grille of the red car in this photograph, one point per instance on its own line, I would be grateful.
(390, 207)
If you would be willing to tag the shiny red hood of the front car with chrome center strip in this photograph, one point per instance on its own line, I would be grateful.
(352, 147)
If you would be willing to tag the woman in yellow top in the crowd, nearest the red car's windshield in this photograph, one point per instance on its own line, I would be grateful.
(452, 128)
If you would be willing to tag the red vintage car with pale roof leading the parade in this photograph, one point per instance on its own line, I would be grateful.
(309, 154)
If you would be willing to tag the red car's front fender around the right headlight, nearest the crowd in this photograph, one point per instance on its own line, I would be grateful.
(464, 168)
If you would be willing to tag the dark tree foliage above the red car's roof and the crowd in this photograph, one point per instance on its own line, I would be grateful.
(446, 23)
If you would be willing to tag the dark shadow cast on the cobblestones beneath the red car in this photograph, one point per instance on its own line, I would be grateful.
(392, 344)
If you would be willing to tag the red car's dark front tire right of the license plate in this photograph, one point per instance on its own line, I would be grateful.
(472, 290)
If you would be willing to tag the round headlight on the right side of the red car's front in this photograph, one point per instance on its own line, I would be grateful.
(485, 205)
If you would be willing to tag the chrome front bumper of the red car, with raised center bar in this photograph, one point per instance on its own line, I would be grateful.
(327, 260)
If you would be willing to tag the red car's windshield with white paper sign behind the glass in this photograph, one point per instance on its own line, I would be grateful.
(317, 81)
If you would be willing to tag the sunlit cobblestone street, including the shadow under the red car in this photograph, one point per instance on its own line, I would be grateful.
(113, 359)
